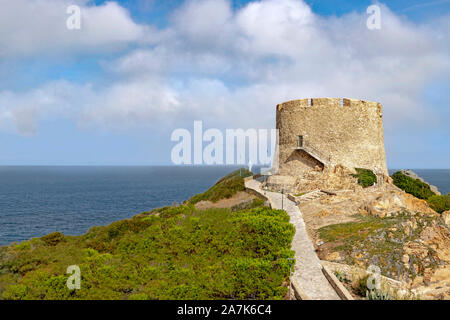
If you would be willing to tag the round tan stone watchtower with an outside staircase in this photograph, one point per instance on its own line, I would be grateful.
(323, 132)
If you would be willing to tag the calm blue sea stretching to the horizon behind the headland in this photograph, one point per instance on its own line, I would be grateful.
(35, 201)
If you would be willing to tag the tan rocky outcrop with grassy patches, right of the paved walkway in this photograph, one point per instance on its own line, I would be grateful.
(409, 241)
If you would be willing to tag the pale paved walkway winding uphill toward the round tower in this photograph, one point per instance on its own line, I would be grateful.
(308, 271)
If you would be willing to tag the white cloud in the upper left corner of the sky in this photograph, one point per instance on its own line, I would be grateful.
(29, 27)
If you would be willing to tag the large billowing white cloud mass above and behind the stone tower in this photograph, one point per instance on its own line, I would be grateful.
(274, 50)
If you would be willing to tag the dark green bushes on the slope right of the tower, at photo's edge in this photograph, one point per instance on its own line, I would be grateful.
(421, 190)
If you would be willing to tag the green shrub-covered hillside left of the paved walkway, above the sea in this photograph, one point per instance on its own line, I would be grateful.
(175, 252)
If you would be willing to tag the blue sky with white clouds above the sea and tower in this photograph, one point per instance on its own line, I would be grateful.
(113, 91)
